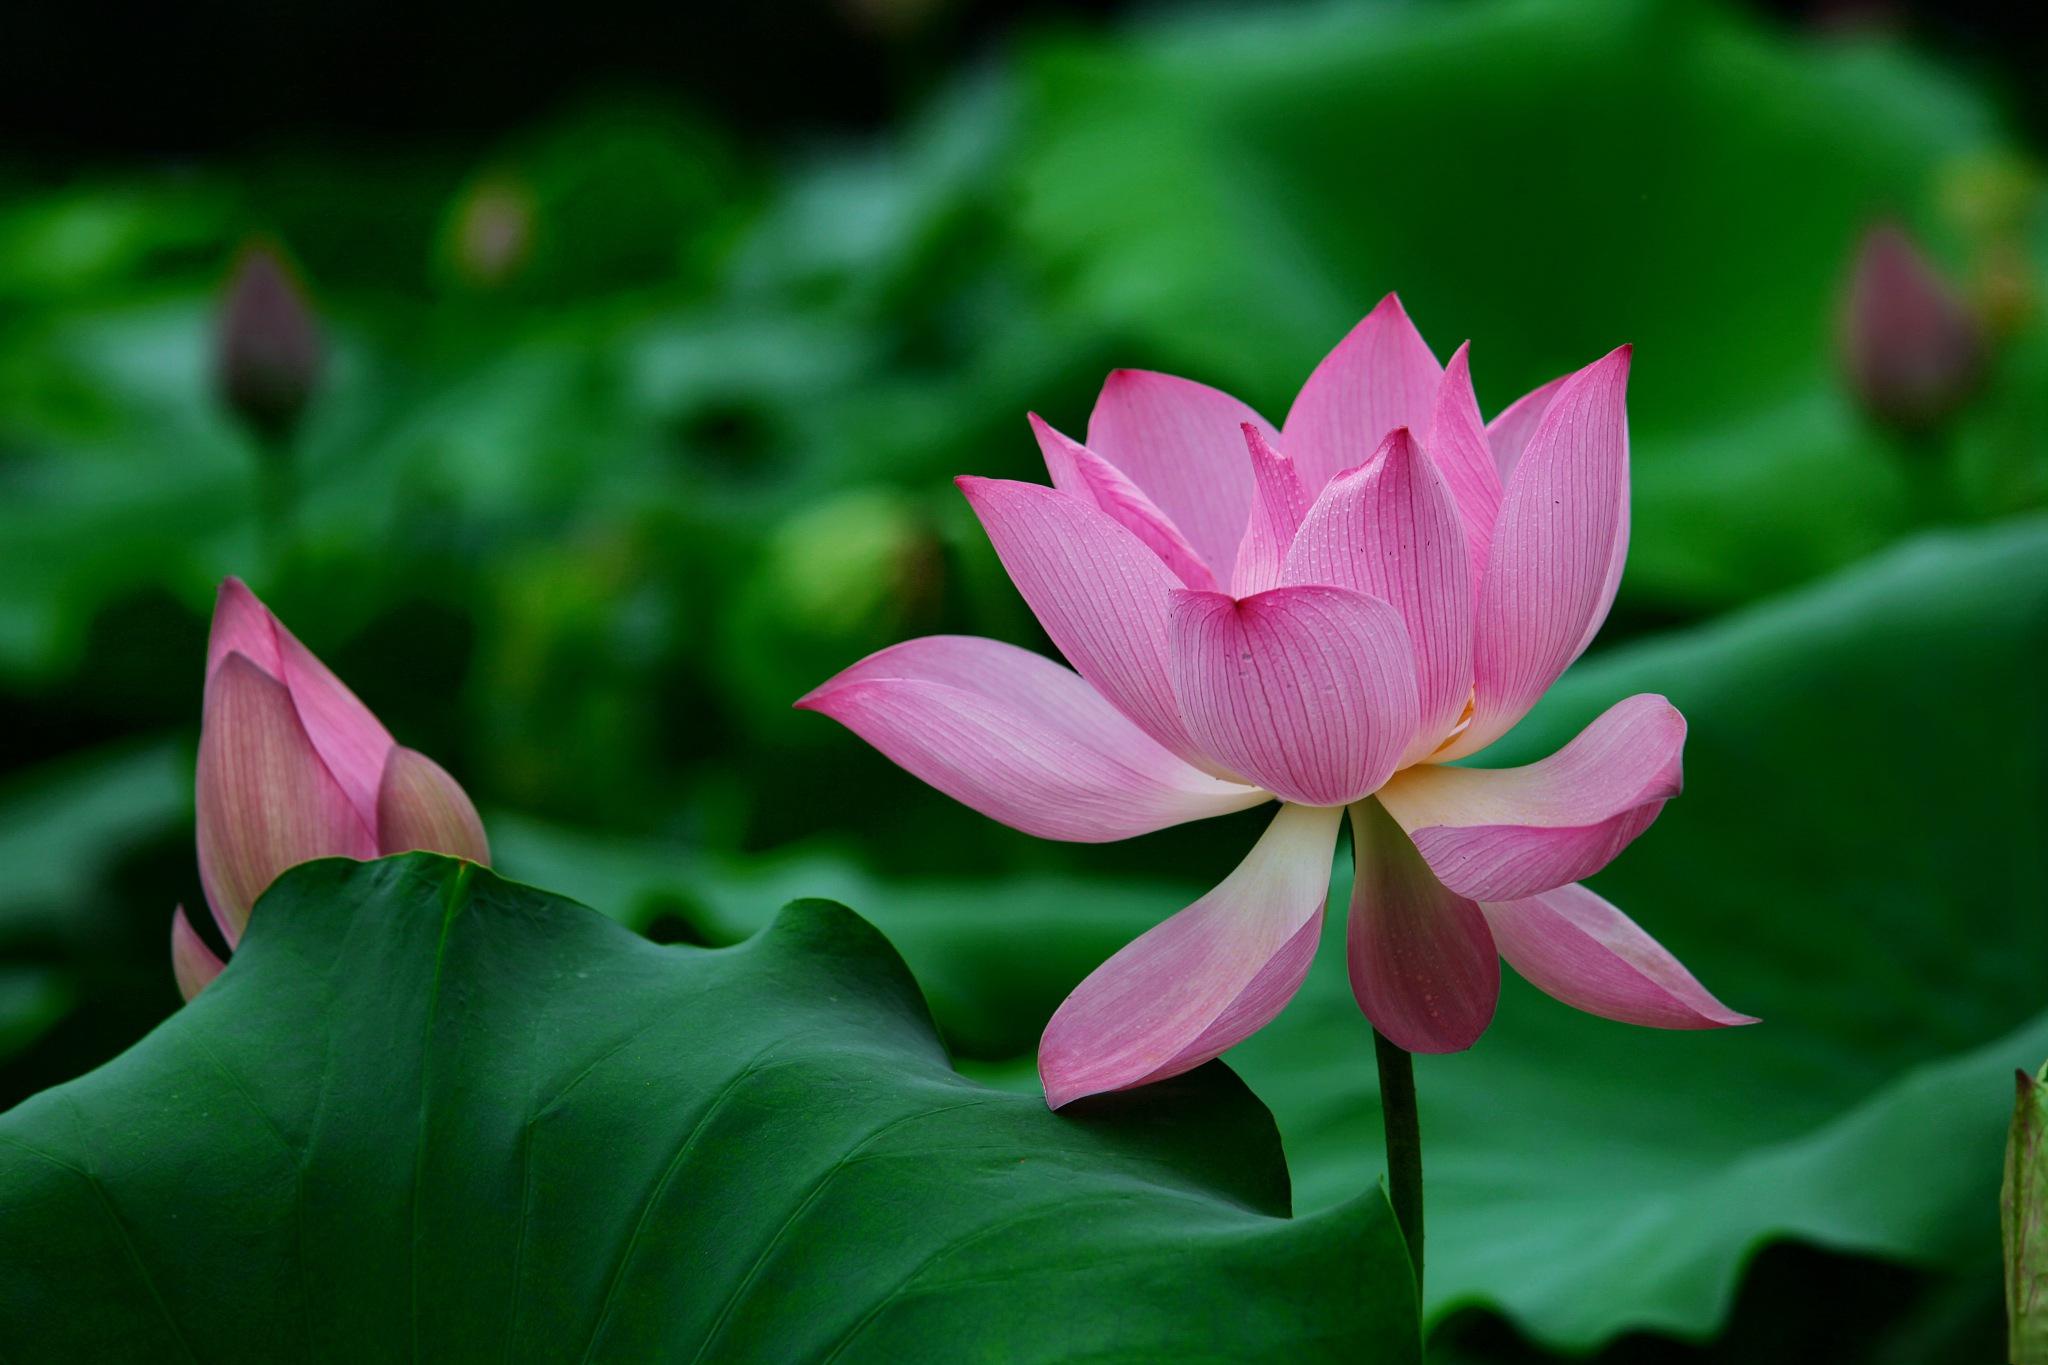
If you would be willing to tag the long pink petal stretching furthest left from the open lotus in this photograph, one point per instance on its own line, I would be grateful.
(1021, 740)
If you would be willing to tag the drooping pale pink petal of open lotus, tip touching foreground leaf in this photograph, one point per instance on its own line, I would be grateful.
(1205, 979)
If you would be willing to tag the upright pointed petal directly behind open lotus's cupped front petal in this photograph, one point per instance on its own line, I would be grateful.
(1392, 531)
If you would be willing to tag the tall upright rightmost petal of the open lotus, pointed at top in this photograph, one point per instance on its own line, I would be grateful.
(1551, 570)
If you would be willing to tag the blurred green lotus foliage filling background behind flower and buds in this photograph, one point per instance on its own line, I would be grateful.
(634, 431)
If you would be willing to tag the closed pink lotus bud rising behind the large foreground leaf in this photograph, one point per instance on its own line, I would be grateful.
(292, 768)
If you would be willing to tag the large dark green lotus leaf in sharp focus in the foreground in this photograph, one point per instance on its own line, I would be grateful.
(439, 1116)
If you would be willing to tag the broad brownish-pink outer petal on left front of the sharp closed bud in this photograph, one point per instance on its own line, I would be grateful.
(265, 799)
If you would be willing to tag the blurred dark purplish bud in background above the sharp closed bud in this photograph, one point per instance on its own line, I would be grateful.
(269, 351)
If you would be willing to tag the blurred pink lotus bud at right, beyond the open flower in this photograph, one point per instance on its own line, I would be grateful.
(1910, 345)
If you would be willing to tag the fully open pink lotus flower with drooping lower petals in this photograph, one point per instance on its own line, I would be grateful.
(1326, 615)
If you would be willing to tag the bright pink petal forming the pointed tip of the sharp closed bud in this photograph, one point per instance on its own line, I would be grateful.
(343, 730)
